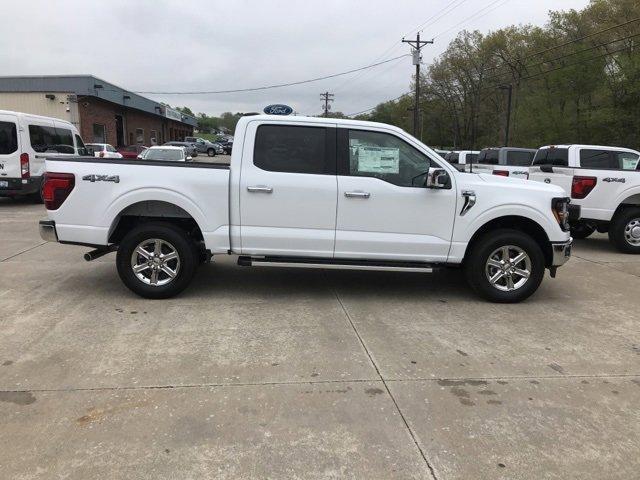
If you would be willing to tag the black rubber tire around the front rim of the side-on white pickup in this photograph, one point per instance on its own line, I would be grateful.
(480, 253)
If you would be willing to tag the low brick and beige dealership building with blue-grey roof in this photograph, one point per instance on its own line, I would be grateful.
(102, 112)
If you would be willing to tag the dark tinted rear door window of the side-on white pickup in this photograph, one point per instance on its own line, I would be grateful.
(293, 149)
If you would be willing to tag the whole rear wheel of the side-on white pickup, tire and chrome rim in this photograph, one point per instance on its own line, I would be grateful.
(147, 237)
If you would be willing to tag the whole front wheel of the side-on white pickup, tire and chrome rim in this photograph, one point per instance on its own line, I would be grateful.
(491, 247)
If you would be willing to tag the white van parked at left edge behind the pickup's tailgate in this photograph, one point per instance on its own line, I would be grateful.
(25, 141)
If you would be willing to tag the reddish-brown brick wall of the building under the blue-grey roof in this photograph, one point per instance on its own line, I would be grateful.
(104, 113)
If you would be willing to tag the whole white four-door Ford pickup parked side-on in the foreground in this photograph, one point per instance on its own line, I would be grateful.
(309, 192)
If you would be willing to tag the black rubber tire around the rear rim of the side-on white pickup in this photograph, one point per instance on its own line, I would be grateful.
(178, 240)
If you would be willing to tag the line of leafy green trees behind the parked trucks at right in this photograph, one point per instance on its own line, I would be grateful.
(574, 80)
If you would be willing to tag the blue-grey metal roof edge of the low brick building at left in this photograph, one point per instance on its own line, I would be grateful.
(88, 85)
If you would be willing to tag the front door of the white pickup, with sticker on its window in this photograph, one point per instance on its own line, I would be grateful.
(384, 210)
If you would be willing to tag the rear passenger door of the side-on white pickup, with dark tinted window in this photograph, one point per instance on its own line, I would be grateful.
(288, 190)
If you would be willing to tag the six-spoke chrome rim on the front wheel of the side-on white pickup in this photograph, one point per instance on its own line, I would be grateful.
(508, 268)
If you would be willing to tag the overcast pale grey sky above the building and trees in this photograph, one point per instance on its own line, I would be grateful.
(189, 45)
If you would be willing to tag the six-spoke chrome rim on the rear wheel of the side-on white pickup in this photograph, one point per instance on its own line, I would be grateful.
(155, 262)
